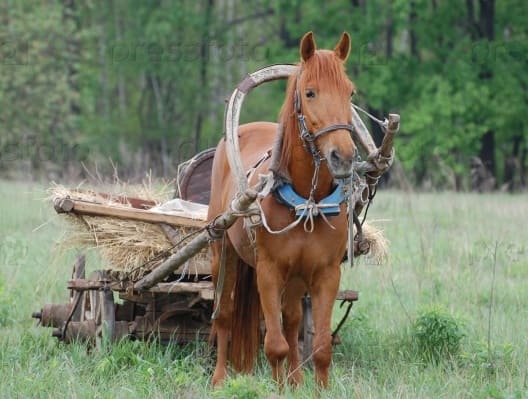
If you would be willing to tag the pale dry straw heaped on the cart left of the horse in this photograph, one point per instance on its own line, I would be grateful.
(129, 248)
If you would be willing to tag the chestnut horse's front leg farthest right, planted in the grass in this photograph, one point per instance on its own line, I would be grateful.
(324, 292)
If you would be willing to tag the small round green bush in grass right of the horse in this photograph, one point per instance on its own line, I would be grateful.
(437, 334)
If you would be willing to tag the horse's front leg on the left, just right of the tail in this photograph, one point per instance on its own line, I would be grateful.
(270, 285)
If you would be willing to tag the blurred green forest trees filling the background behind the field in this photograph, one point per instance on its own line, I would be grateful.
(144, 83)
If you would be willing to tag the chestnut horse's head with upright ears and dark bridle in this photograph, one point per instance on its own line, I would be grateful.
(323, 92)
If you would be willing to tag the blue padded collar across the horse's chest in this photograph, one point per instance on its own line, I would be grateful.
(328, 205)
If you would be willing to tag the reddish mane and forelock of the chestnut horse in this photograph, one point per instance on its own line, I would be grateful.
(325, 69)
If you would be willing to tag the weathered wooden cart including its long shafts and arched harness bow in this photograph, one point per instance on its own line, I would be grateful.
(168, 303)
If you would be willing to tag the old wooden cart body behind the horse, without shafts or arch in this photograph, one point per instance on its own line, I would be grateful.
(104, 307)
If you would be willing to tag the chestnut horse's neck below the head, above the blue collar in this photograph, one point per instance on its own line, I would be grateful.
(301, 168)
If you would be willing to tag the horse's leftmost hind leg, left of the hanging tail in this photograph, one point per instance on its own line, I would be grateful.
(224, 306)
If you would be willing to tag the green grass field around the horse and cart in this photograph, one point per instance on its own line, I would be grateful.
(463, 255)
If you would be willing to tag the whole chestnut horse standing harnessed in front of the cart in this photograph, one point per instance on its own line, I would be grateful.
(272, 273)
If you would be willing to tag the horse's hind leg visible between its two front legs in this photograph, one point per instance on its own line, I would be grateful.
(291, 320)
